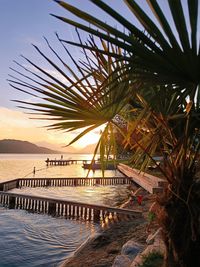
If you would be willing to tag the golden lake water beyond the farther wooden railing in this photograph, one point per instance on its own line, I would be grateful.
(21, 165)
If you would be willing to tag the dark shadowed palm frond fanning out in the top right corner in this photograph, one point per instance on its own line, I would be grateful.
(162, 55)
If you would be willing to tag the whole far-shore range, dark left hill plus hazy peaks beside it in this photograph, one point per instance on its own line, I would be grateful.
(18, 146)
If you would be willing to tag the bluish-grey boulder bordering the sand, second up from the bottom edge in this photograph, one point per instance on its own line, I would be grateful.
(131, 249)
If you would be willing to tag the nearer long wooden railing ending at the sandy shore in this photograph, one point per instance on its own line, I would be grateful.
(68, 209)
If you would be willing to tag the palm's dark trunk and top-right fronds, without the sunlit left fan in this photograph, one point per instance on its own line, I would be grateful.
(169, 64)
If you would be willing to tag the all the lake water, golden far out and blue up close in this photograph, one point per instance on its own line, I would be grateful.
(29, 239)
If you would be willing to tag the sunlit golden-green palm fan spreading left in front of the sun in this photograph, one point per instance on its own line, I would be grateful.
(80, 97)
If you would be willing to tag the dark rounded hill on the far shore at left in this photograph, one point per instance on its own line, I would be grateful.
(17, 146)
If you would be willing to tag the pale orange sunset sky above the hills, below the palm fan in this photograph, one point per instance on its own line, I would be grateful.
(17, 125)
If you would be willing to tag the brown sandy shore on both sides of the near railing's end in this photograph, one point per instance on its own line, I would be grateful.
(101, 249)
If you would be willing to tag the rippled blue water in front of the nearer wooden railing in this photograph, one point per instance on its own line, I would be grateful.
(29, 240)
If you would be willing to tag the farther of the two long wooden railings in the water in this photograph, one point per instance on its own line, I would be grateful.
(42, 182)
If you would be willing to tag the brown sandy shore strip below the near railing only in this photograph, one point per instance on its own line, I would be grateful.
(102, 249)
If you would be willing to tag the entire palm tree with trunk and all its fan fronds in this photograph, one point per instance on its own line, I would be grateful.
(149, 79)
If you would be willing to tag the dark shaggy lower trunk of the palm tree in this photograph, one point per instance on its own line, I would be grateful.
(180, 221)
